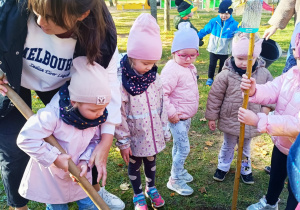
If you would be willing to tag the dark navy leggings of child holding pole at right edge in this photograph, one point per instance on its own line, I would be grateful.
(278, 175)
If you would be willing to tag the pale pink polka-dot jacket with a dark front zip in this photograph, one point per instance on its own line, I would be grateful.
(144, 121)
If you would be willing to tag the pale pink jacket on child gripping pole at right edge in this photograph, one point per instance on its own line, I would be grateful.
(284, 125)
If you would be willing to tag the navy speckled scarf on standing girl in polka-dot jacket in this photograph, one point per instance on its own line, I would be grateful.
(133, 83)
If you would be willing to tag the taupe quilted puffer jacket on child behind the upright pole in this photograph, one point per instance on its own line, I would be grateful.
(225, 99)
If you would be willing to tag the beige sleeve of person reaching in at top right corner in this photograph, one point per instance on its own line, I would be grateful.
(284, 12)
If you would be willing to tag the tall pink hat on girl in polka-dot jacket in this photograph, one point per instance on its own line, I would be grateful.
(144, 39)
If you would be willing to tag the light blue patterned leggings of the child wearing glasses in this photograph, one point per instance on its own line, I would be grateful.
(181, 147)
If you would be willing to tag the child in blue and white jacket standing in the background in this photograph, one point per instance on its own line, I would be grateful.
(222, 30)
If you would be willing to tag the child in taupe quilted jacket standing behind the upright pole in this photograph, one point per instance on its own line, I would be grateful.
(224, 100)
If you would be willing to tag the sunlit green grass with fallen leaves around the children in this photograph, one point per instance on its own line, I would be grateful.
(202, 160)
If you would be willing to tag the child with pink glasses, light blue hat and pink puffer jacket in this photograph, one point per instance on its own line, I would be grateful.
(181, 97)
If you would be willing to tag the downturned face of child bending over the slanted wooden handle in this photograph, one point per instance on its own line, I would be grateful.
(90, 111)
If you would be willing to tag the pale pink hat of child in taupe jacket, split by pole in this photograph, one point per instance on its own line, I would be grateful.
(240, 47)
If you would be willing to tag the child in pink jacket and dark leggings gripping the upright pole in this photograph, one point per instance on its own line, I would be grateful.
(283, 126)
